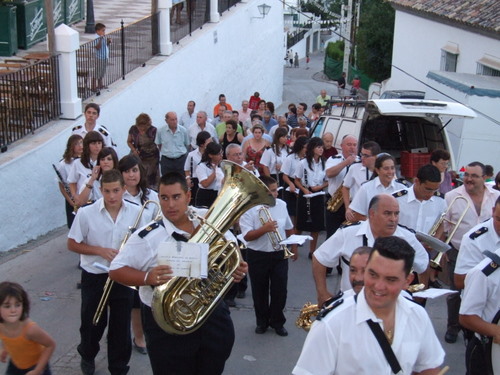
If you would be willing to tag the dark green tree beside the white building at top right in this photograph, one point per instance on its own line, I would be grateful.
(374, 39)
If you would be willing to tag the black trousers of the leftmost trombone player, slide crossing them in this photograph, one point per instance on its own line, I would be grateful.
(118, 322)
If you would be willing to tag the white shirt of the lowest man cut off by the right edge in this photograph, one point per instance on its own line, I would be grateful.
(481, 295)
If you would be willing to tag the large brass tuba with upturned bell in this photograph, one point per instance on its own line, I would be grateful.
(181, 305)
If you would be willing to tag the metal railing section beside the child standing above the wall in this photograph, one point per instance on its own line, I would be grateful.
(129, 48)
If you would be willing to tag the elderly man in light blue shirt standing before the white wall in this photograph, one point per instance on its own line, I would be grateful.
(173, 142)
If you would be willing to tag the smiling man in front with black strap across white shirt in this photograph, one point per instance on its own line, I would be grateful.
(359, 335)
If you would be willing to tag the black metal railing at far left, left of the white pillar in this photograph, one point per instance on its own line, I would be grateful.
(29, 99)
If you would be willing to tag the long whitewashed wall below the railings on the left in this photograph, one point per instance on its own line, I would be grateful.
(236, 57)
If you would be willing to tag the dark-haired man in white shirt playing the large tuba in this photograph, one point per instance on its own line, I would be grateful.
(203, 351)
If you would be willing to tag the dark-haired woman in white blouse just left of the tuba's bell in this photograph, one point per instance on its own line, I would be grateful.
(210, 176)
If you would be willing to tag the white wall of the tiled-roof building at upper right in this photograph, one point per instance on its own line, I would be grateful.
(417, 50)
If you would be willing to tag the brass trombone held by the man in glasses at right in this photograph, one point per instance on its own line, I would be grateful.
(437, 244)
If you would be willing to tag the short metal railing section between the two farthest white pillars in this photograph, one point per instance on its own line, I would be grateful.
(187, 17)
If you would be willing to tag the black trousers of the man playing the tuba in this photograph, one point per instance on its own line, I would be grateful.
(203, 352)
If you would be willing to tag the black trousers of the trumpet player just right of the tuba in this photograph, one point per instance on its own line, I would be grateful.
(268, 278)
